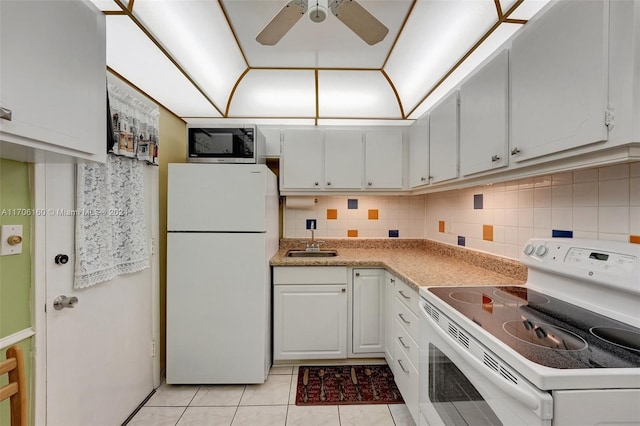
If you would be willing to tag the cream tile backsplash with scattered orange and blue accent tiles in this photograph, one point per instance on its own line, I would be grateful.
(598, 203)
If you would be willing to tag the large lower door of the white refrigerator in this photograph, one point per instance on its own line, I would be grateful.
(218, 308)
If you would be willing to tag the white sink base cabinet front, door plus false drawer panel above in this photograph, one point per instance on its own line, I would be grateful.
(310, 313)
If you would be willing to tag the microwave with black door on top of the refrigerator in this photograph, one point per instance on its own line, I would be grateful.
(225, 145)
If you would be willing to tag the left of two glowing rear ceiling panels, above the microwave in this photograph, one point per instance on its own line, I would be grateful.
(275, 93)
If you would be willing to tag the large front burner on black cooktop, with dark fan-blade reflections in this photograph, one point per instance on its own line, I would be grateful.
(544, 335)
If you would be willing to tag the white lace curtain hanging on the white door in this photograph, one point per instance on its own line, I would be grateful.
(110, 223)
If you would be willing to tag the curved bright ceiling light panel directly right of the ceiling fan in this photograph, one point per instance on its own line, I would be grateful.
(437, 35)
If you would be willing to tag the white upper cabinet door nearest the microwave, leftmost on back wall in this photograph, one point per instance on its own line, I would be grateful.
(302, 159)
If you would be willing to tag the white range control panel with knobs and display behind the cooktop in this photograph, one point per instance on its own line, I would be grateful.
(609, 262)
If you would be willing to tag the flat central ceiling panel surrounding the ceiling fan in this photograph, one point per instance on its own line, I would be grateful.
(327, 44)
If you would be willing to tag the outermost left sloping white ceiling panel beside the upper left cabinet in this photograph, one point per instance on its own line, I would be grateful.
(131, 54)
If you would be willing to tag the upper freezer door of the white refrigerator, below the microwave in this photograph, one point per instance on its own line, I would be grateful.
(217, 197)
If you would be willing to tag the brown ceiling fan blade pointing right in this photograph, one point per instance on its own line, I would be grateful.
(359, 20)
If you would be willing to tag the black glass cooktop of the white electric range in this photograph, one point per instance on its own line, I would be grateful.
(546, 330)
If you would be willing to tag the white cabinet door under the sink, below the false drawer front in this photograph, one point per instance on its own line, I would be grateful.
(310, 322)
